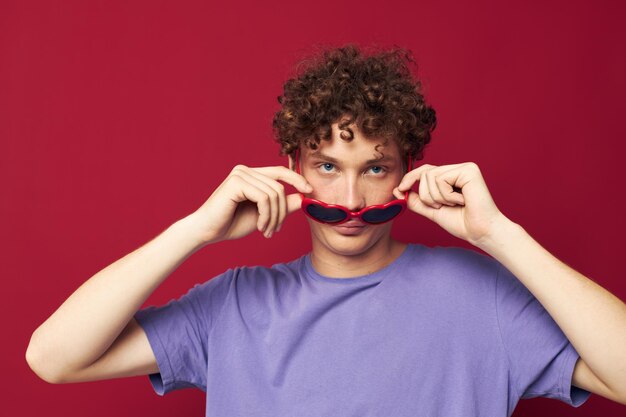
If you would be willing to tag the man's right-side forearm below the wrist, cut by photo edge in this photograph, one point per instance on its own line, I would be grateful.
(593, 319)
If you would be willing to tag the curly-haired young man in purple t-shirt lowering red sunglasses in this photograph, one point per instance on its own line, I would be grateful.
(364, 324)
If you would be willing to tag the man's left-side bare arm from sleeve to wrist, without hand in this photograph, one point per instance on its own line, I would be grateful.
(76, 337)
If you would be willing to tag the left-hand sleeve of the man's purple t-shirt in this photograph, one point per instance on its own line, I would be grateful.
(178, 334)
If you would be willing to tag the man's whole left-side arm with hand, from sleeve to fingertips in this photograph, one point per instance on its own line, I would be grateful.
(93, 335)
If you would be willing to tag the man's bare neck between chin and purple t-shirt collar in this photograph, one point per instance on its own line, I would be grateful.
(335, 265)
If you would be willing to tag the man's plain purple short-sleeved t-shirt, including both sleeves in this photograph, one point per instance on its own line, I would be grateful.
(443, 331)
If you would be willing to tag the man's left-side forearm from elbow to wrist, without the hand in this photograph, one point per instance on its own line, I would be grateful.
(88, 322)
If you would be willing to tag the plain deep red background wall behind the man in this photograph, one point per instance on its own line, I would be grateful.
(118, 118)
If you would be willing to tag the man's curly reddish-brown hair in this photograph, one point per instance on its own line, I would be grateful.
(376, 92)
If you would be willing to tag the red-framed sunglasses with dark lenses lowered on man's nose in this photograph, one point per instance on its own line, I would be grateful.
(337, 214)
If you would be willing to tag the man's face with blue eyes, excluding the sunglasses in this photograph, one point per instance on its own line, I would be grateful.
(353, 175)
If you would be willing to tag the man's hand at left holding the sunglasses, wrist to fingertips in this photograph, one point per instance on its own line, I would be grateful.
(249, 199)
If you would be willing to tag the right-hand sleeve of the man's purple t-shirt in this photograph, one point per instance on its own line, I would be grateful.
(541, 358)
